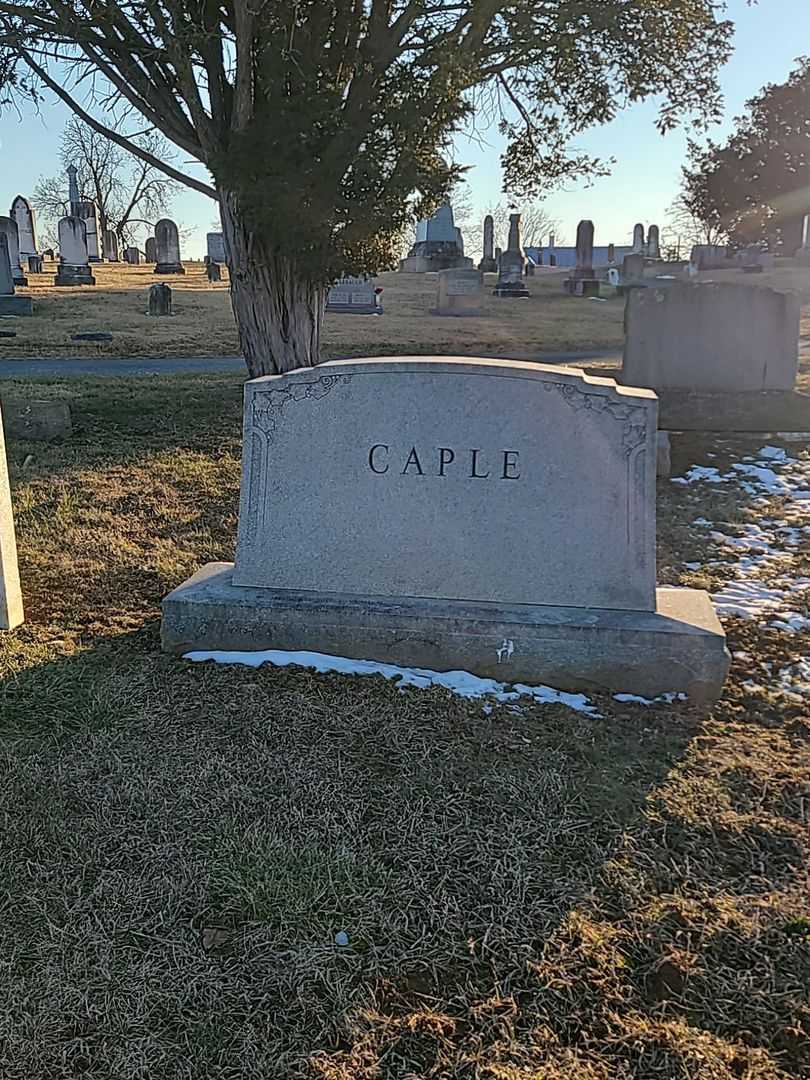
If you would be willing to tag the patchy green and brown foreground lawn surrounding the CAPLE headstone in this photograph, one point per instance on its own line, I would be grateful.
(533, 895)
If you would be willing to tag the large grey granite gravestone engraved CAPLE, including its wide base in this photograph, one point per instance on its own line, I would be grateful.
(457, 515)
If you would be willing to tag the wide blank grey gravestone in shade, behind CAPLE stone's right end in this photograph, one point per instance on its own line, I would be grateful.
(715, 337)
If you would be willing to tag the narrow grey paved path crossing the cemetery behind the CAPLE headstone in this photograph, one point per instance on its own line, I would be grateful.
(187, 366)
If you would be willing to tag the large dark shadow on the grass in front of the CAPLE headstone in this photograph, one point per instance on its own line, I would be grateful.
(196, 836)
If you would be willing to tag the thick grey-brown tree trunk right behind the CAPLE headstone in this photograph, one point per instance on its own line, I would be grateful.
(279, 315)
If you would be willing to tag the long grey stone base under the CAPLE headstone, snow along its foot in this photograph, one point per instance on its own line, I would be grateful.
(680, 647)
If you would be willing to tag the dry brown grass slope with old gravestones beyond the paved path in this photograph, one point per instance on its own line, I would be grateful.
(204, 322)
